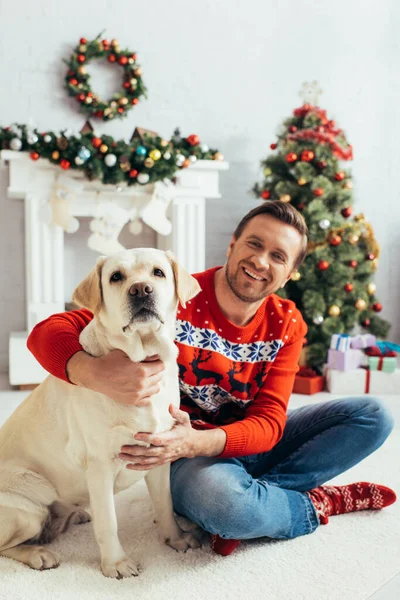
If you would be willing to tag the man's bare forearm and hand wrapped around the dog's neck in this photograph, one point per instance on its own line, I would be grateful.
(116, 376)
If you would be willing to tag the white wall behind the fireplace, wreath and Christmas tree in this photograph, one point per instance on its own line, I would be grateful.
(229, 71)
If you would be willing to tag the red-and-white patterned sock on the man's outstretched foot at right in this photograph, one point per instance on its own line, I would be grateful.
(331, 500)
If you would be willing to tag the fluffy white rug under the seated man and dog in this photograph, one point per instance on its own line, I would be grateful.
(349, 559)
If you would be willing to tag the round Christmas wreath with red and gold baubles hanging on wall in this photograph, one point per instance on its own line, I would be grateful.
(77, 80)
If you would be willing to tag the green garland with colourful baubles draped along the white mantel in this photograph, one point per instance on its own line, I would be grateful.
(147, 158)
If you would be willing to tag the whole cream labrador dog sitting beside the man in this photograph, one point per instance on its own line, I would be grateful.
(59, 449)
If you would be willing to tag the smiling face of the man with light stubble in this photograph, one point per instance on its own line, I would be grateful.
(262, 259)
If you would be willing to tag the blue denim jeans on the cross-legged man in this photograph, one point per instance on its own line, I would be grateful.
(263, 494)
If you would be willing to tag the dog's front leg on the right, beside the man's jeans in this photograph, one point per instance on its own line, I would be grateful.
(158, 484)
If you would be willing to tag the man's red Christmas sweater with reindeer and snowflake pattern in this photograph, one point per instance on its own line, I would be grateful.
(236, 378)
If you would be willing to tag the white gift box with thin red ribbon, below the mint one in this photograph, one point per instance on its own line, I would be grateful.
(362, 381)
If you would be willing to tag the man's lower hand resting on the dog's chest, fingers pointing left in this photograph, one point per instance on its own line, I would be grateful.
(182, 441)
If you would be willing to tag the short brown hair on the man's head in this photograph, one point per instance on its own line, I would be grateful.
(284, 212)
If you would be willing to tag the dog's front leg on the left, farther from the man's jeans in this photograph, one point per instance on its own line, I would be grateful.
(114, 561)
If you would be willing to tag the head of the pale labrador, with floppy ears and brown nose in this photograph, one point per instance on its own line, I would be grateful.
(137, 288)
